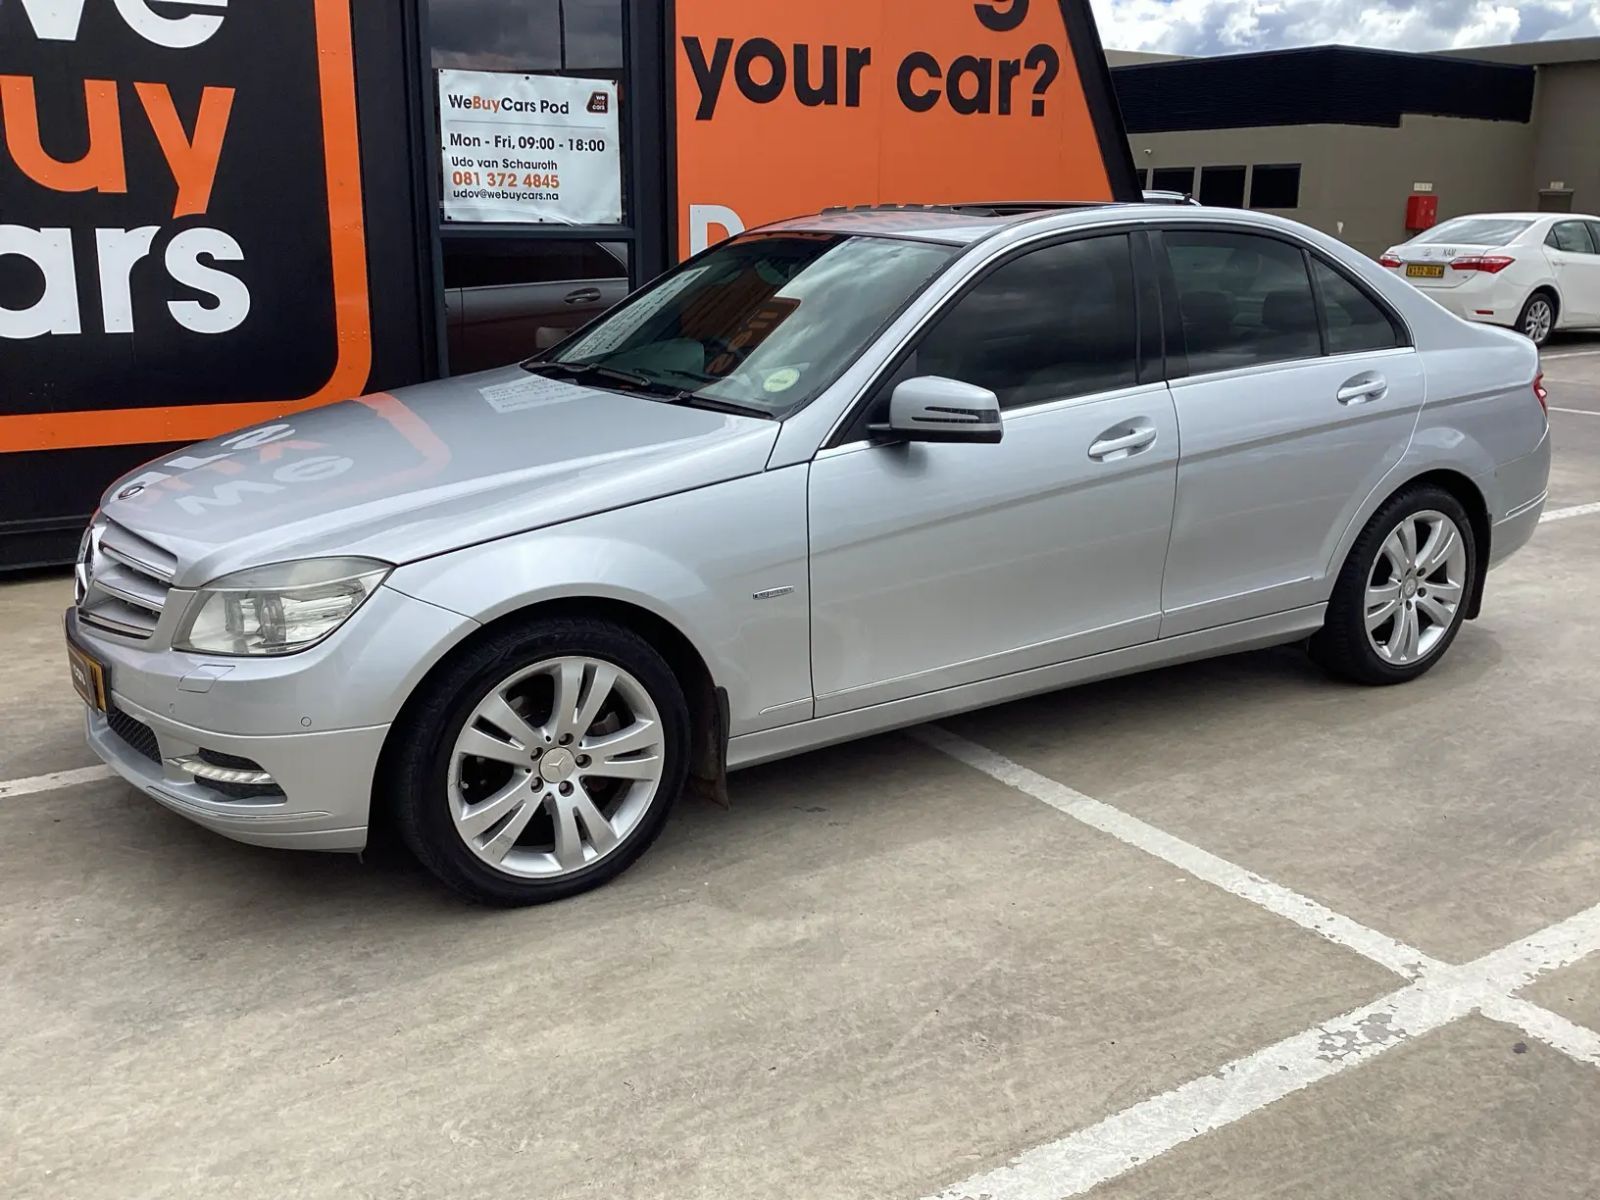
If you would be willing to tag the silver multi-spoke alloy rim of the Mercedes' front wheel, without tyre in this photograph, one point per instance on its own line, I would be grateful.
(556, 767)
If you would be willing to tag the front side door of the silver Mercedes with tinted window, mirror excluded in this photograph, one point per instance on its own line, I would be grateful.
(945, 564)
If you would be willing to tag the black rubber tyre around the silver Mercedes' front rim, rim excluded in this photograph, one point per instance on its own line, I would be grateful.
(418, 772)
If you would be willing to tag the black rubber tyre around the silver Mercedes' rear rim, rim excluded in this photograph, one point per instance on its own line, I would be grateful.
(1342, 647)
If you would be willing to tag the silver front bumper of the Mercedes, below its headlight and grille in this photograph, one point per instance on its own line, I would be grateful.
(316, 721)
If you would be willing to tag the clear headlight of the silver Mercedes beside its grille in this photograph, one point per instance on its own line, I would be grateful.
(281, 609)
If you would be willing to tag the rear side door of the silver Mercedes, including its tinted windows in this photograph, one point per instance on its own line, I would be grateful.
(1297, 393)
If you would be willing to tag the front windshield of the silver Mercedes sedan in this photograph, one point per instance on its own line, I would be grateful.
(764, 322)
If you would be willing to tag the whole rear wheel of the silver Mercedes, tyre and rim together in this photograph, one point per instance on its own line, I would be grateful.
(1402, 594)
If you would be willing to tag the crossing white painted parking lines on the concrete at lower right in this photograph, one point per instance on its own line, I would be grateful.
(1438, 996)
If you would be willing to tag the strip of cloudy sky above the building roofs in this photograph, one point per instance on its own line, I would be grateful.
(1234, 26)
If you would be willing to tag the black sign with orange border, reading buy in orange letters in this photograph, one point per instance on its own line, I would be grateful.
(182, 218)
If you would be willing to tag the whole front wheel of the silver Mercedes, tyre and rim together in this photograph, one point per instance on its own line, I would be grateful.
(543, 761)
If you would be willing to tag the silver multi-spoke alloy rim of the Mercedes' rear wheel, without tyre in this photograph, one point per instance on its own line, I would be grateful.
(1417, 586)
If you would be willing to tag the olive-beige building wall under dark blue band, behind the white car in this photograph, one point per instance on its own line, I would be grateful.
(1356, 180)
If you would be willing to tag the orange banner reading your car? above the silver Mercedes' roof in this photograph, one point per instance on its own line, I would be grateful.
(788, 108)
